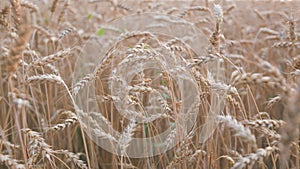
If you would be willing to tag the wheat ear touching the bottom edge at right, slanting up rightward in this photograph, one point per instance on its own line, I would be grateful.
(252, 158)
